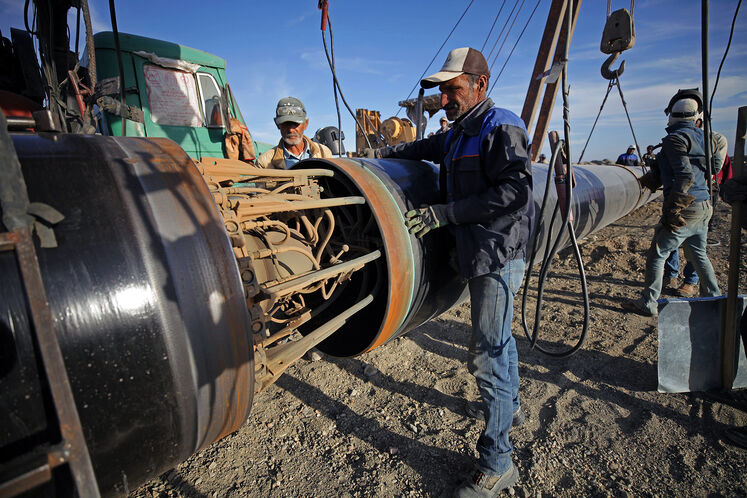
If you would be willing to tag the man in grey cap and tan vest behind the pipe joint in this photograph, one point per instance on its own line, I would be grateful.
(291, 120)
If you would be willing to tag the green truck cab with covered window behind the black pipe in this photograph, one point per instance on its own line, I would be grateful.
(181, 92)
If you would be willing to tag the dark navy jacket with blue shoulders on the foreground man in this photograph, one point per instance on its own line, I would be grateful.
(486, 180)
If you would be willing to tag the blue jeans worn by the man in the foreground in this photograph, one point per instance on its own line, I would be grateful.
(494, 361)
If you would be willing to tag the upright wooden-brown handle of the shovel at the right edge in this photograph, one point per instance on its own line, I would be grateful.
(729, 347)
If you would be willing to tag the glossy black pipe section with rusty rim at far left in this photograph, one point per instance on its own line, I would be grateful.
(147, 304)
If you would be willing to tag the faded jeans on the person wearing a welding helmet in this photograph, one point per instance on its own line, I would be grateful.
(693, 239)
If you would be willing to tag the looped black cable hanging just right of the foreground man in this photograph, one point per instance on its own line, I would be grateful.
(549, 254)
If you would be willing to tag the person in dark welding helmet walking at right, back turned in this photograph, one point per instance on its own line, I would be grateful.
(687, 207)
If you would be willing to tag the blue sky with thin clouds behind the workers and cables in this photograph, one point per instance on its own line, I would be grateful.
(274, 49)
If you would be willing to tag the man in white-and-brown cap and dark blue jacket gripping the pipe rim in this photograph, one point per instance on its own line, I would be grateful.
(486, 194)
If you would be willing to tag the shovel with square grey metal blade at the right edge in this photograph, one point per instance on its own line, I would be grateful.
(699, 347)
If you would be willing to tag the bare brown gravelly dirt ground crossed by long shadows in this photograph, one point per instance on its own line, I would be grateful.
(392, 422)
